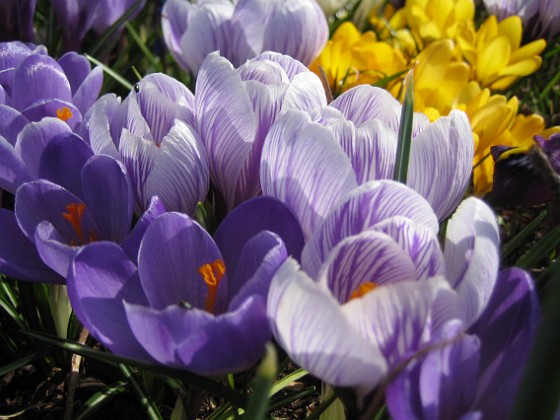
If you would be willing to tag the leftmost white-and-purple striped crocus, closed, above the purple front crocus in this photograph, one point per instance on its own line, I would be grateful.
(151, 133)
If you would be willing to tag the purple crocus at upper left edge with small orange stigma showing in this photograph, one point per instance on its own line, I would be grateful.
(34, 85)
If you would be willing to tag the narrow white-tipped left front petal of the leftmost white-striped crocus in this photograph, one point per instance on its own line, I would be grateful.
(139, 156)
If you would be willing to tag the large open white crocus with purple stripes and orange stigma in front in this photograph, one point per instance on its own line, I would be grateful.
(374, 283)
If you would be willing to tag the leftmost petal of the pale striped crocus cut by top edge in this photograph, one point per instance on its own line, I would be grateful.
(175, 19)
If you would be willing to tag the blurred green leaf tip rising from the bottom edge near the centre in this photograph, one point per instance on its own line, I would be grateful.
(258, 402)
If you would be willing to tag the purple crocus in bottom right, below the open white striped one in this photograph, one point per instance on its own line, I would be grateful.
(475, 372)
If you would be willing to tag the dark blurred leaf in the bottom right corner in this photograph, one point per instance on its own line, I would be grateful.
(539, 394)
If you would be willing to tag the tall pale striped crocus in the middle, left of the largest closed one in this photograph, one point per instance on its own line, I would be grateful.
(234, 110)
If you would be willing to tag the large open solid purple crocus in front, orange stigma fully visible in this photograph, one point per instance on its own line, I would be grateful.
(190, 301)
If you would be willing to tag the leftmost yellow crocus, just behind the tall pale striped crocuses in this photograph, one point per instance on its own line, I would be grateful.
(351, 58)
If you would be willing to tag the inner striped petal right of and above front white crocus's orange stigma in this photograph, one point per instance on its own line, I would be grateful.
(418, 242)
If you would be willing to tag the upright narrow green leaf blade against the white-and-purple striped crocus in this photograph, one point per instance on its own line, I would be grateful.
(405, 132)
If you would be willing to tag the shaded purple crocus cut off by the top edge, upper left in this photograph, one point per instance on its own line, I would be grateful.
(77, 17)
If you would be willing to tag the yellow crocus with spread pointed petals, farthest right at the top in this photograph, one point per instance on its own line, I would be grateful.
(495, 52)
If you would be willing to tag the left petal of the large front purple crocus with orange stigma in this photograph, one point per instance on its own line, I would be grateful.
(100, 280)
